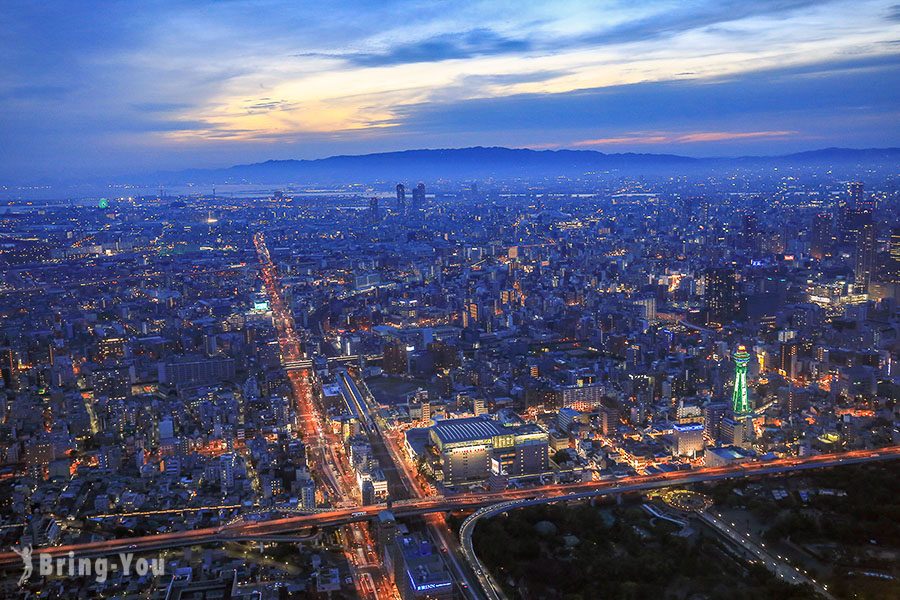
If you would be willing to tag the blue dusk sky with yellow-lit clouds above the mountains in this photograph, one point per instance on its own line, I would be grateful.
(94, 89)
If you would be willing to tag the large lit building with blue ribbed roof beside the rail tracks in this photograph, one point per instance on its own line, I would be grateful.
(472, 449)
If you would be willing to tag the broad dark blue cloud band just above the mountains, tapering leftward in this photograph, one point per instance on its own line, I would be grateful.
(811, 99)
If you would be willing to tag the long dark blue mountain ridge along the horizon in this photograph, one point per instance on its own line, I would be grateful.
(481, 162)
